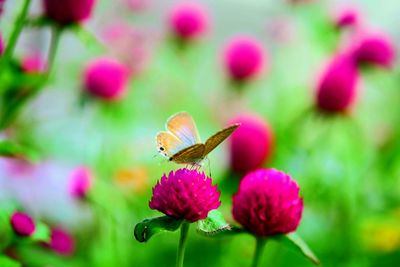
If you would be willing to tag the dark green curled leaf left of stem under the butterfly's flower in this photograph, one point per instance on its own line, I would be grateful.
(149, 227)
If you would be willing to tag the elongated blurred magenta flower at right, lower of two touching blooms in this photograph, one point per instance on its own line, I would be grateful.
(337, 87)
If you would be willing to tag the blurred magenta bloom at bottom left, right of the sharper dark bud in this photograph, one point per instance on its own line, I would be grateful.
(61, 242)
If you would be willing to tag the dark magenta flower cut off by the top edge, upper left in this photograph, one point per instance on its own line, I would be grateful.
(68, 11)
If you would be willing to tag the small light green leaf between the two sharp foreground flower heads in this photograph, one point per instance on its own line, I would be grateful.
(214, 224)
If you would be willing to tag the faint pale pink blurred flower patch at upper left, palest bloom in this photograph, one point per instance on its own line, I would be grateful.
(132, 46)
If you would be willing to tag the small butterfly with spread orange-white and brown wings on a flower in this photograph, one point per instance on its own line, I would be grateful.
(181, 142)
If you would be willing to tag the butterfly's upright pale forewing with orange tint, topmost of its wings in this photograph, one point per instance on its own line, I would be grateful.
(183, 127)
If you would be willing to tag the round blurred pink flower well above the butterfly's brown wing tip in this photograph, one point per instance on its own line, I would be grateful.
(244, 58)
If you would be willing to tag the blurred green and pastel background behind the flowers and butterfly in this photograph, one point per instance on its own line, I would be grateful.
(346, 164)
